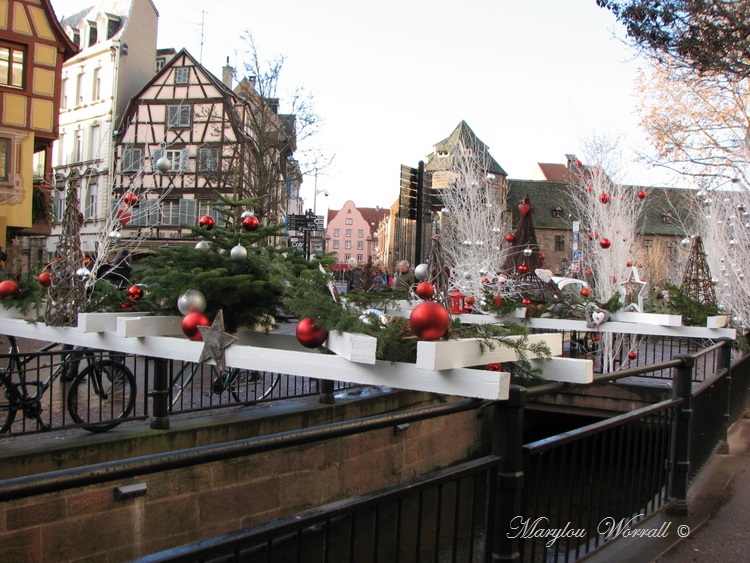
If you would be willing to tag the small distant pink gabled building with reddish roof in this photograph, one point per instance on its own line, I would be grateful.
(352, 232)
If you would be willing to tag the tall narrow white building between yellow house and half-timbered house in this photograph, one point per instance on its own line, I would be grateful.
(117, 39)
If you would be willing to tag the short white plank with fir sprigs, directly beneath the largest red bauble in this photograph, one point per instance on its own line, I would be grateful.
(468, 352)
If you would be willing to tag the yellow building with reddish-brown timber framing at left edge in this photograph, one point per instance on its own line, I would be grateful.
(33, 47)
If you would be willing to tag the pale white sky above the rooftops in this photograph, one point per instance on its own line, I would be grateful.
(534, 79)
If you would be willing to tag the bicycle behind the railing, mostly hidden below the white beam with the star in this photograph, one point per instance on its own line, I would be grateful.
(245, 386)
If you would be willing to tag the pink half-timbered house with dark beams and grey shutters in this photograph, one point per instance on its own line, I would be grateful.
(206, 139)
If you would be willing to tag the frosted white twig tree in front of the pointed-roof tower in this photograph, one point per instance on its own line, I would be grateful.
(473, 222)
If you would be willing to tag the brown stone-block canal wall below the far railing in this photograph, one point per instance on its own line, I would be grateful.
(202, 501)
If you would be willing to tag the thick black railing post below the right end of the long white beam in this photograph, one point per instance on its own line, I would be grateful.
(507, 442)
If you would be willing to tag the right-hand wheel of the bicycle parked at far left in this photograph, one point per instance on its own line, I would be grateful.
(102, 395)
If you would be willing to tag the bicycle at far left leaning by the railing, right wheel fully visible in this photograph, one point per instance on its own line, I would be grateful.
(99, 397)
